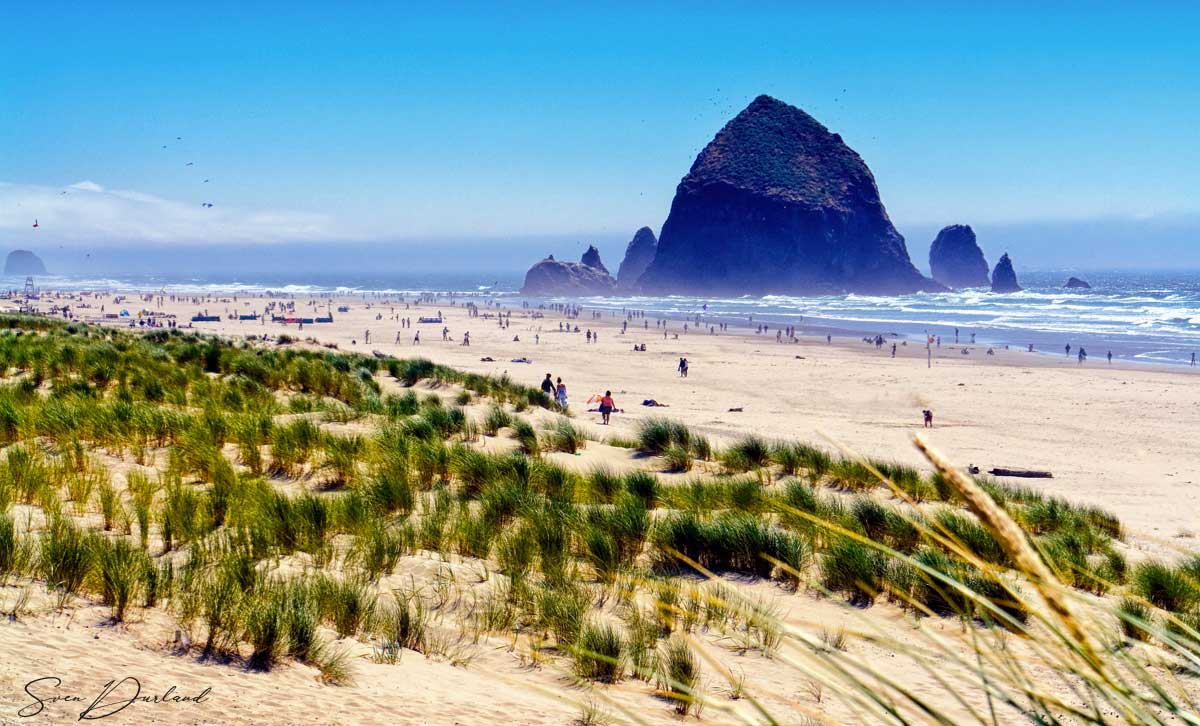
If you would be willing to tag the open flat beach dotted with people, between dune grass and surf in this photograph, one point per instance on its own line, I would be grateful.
(1113, 435)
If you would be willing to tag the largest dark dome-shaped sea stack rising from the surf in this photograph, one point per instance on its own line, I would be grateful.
(777, 203)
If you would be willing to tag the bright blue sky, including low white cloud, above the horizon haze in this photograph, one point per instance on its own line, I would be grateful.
(406, 123)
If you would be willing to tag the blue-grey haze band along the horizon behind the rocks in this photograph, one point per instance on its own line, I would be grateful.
(1035, 247)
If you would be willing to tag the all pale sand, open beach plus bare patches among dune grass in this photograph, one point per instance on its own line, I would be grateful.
(1114, 437)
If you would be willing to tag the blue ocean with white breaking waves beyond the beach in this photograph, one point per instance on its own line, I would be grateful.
(1151, 317)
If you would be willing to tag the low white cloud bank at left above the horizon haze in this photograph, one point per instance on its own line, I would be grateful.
(88, 214)
